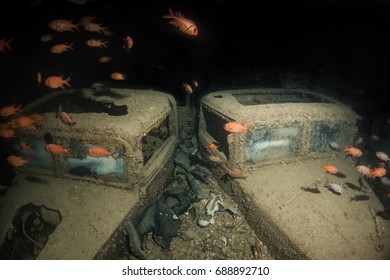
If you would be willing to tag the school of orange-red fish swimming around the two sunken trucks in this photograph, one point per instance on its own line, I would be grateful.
(90, 24)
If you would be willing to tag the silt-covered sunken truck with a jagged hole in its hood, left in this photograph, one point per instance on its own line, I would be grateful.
(93, 193)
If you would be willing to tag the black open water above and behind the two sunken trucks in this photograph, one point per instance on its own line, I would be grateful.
(239, 45)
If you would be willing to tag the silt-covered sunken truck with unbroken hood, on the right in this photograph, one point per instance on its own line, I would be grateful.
(282, 188)
